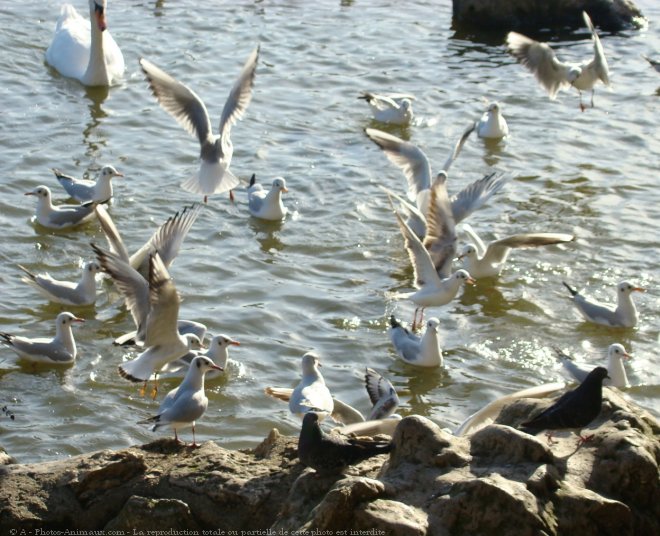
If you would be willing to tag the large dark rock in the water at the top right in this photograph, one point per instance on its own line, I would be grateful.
(506, 15)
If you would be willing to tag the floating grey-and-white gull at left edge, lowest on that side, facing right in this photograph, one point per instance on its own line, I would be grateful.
(61, 350)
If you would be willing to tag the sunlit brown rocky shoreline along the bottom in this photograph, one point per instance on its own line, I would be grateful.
(496, 481)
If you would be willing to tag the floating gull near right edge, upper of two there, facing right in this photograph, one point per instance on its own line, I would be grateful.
(623, 315)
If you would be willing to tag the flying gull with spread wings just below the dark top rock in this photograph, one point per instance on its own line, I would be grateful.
(554, 74)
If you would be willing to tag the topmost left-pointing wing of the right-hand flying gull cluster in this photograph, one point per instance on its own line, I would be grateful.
(407, 157)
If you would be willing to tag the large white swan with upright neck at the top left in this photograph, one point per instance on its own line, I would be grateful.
(85, 51)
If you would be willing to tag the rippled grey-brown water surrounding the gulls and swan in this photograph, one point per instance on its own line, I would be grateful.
(321, 279)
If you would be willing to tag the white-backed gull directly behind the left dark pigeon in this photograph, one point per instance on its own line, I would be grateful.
(311, 394)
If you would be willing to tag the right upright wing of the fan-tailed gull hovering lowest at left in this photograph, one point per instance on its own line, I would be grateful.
(164, 300)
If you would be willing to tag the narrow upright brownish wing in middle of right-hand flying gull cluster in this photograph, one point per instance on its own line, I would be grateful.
(440, 239)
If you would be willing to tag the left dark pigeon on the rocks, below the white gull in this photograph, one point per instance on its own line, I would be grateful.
(330, 454)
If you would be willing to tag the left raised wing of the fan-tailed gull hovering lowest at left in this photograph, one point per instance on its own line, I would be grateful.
(130, 283)
